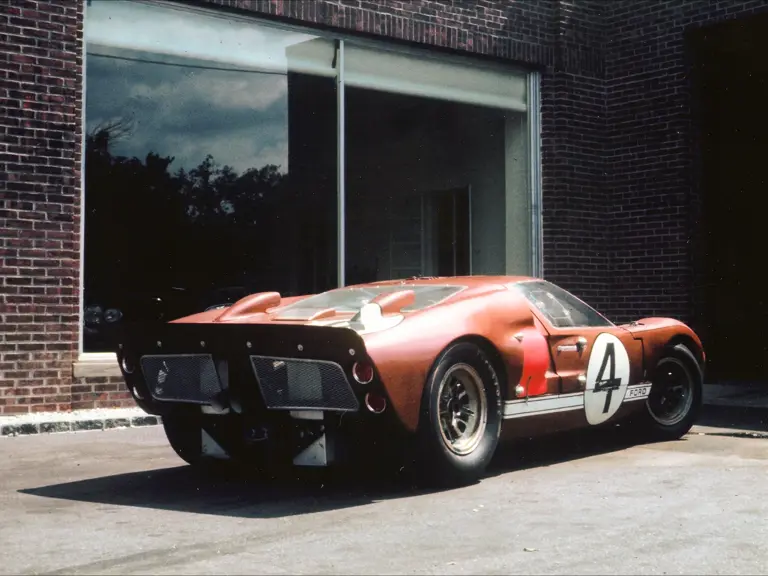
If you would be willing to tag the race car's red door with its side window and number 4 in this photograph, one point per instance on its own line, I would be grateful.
(582, 340)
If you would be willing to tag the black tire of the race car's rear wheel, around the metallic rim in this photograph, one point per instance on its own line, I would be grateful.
(435, 453)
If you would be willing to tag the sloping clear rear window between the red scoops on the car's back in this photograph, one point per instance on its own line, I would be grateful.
(352, 299)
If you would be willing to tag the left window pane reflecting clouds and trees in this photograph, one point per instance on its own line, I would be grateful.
(210, 165)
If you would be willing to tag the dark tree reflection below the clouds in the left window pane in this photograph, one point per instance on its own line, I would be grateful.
(150, 229)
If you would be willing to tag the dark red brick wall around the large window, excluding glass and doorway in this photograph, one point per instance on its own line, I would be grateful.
(616, 137)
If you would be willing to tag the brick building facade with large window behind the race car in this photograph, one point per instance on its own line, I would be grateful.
(178, 153)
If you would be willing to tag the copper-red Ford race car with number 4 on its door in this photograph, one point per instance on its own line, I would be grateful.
(441, 368)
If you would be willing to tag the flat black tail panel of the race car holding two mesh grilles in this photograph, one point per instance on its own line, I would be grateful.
(256, 366)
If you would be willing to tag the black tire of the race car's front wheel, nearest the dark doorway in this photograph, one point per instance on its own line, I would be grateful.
(647, 425)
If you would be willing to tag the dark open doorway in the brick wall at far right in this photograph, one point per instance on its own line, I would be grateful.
(730, 96)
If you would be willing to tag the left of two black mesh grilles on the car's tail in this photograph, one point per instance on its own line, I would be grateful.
(182, 377)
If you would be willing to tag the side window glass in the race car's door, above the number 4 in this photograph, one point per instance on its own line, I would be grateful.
(561, 308)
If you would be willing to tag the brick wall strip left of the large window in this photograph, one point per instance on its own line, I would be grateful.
(40, 79)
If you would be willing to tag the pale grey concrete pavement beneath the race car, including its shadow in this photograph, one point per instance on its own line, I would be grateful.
(121, 502)
